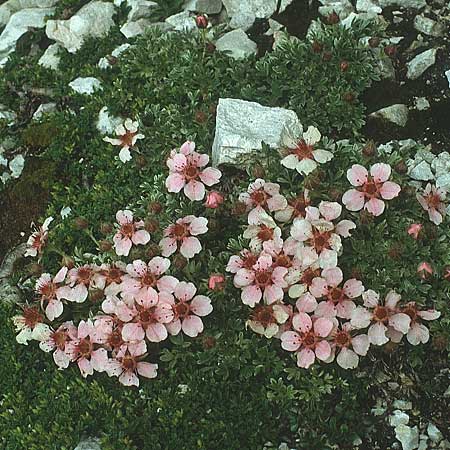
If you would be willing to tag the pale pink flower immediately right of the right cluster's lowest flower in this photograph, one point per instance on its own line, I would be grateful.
(349, 346)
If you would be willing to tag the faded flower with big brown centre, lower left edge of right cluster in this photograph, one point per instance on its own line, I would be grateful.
(266, 319)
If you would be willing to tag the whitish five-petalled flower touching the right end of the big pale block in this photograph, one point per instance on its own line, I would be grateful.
(302, 155)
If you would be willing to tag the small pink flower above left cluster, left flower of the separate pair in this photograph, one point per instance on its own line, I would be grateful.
(129, 233)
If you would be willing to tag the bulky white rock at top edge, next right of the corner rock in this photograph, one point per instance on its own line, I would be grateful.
(92, 20)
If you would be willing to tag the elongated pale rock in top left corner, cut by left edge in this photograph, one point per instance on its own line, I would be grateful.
(19, 23)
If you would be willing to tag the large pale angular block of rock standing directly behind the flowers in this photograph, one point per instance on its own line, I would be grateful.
(242, 127)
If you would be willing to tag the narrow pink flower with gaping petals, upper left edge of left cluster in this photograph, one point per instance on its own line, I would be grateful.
(51, 292)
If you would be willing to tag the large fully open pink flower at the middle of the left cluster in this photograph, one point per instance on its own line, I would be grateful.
(147, 316)
